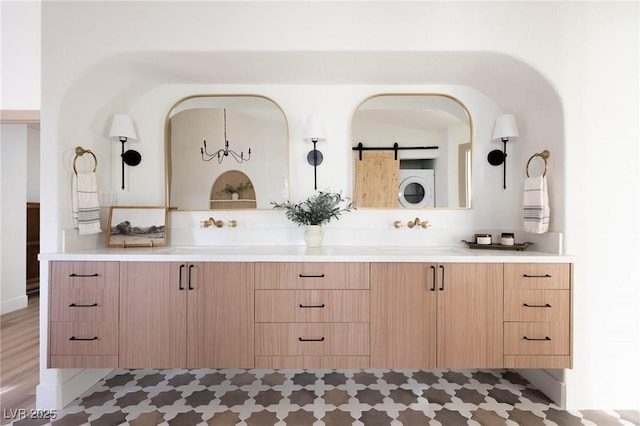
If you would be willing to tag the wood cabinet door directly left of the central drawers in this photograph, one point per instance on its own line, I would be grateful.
(220, 315)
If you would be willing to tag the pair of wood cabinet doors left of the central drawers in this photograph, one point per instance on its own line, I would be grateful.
(186, 315)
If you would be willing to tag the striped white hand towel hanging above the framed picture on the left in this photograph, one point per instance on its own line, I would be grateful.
(85, 207)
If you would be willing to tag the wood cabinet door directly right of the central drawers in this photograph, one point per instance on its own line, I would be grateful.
(403, 315)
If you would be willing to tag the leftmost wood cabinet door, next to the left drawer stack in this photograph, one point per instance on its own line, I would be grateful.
(153, 303)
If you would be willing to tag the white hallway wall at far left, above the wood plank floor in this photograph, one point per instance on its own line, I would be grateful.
(13, 198)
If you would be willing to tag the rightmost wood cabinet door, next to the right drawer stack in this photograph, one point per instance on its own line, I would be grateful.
(470, 315)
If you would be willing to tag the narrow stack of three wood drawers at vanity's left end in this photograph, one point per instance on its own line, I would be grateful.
(83, 314)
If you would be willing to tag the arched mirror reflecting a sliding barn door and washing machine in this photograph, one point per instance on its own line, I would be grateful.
(413, 120)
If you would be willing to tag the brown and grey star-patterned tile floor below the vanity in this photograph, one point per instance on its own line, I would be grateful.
(321, 397)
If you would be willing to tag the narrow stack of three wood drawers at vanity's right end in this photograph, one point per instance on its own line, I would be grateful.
(537, 315)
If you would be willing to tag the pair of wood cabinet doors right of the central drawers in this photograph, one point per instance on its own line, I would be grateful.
(428, 316)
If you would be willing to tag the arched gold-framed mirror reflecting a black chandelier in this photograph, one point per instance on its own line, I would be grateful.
(253, 121)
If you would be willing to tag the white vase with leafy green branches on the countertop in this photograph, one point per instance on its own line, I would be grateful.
(315, 211)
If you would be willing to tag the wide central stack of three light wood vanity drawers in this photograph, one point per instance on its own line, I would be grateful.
(312, 315)
